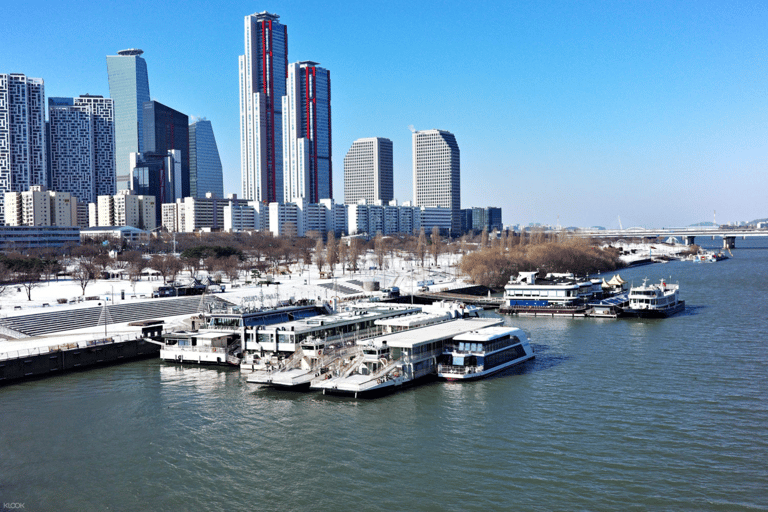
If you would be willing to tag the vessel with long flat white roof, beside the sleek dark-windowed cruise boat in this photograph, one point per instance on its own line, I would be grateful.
(396, 360)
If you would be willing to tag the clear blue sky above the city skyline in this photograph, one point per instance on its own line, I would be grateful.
(643, 113)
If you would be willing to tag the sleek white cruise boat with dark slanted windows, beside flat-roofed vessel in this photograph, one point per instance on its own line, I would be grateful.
(483, 352)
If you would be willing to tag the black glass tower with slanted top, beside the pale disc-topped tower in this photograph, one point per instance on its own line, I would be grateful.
(166, 129)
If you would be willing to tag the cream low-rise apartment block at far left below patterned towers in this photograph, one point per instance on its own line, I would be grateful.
(40, 207)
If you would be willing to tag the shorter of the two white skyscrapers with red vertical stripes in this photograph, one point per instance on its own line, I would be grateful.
(307, 133)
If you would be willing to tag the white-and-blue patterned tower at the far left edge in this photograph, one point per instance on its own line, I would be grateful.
(22, 134)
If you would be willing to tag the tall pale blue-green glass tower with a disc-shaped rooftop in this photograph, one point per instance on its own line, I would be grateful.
(129, 88)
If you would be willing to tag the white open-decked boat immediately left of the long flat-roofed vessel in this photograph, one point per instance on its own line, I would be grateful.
(313, 359)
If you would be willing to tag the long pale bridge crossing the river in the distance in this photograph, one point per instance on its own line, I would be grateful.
(688, 235)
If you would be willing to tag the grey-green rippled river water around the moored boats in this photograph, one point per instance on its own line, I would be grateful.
(612, 415)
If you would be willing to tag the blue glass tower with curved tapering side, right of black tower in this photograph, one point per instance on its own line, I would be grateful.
(205, 173)
